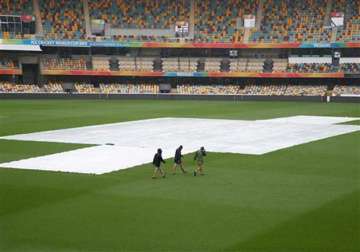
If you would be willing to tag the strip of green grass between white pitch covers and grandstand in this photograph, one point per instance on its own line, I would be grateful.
(39, 115)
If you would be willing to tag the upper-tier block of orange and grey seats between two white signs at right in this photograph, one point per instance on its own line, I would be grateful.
(288, 20)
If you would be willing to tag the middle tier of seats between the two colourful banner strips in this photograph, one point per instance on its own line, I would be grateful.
(184, 64)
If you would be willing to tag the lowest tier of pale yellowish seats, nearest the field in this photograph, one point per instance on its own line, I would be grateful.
(188, 89)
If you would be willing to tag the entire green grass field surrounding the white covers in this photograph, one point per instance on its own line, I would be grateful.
(301, 199)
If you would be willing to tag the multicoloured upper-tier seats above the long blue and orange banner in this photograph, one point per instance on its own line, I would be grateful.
(214, 20)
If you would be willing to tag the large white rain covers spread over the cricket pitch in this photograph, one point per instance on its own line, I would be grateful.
(129, 144)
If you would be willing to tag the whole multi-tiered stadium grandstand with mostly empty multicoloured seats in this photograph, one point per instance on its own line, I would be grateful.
(184, 47)
